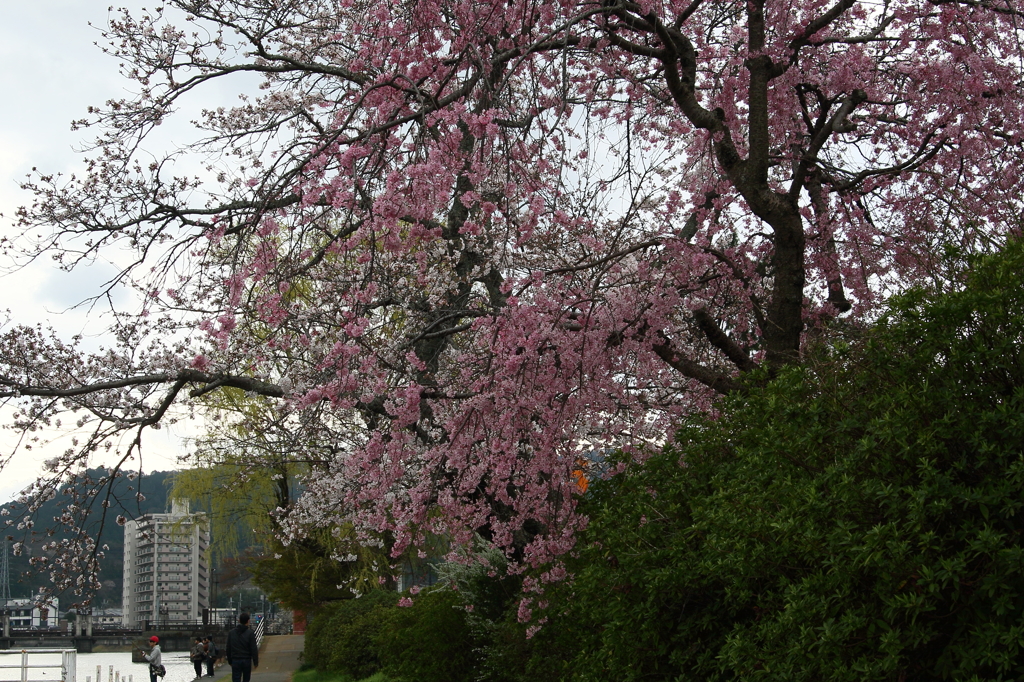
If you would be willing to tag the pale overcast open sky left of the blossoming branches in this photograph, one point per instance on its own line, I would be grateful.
(52, 73)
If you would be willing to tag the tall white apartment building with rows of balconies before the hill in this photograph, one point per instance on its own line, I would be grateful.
(166, 577)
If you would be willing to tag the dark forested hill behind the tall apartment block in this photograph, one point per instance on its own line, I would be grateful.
(155, 488)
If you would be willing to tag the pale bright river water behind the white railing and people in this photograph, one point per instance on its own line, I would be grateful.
(180, 669)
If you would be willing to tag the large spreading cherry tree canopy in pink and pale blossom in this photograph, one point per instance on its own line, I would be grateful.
(466, 245)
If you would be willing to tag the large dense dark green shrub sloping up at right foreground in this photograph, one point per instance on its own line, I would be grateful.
(860, 519)
